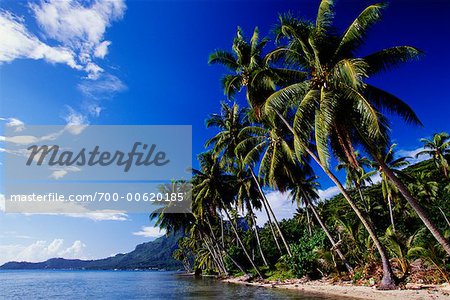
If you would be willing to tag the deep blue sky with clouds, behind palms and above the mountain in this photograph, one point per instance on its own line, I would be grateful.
(145, 62)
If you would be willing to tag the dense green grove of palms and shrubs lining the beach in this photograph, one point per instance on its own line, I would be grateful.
(312, 113)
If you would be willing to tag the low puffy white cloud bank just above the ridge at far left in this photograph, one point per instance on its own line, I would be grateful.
(41, 251)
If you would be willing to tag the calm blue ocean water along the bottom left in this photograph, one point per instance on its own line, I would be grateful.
(50, 284)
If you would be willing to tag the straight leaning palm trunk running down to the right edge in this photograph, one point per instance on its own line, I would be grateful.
(416, 206)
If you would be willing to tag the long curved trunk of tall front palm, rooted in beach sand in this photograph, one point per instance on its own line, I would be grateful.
(387, 282)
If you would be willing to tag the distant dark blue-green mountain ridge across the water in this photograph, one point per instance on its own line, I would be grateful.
(155, 254)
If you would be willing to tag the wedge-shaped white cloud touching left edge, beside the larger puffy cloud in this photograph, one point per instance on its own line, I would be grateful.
(17, 43)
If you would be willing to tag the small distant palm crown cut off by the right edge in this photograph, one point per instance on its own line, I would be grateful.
(437, 148)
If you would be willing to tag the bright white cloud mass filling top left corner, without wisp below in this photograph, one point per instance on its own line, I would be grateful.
(77, 27)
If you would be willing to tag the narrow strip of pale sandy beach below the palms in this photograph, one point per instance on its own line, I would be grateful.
(414, 292)
